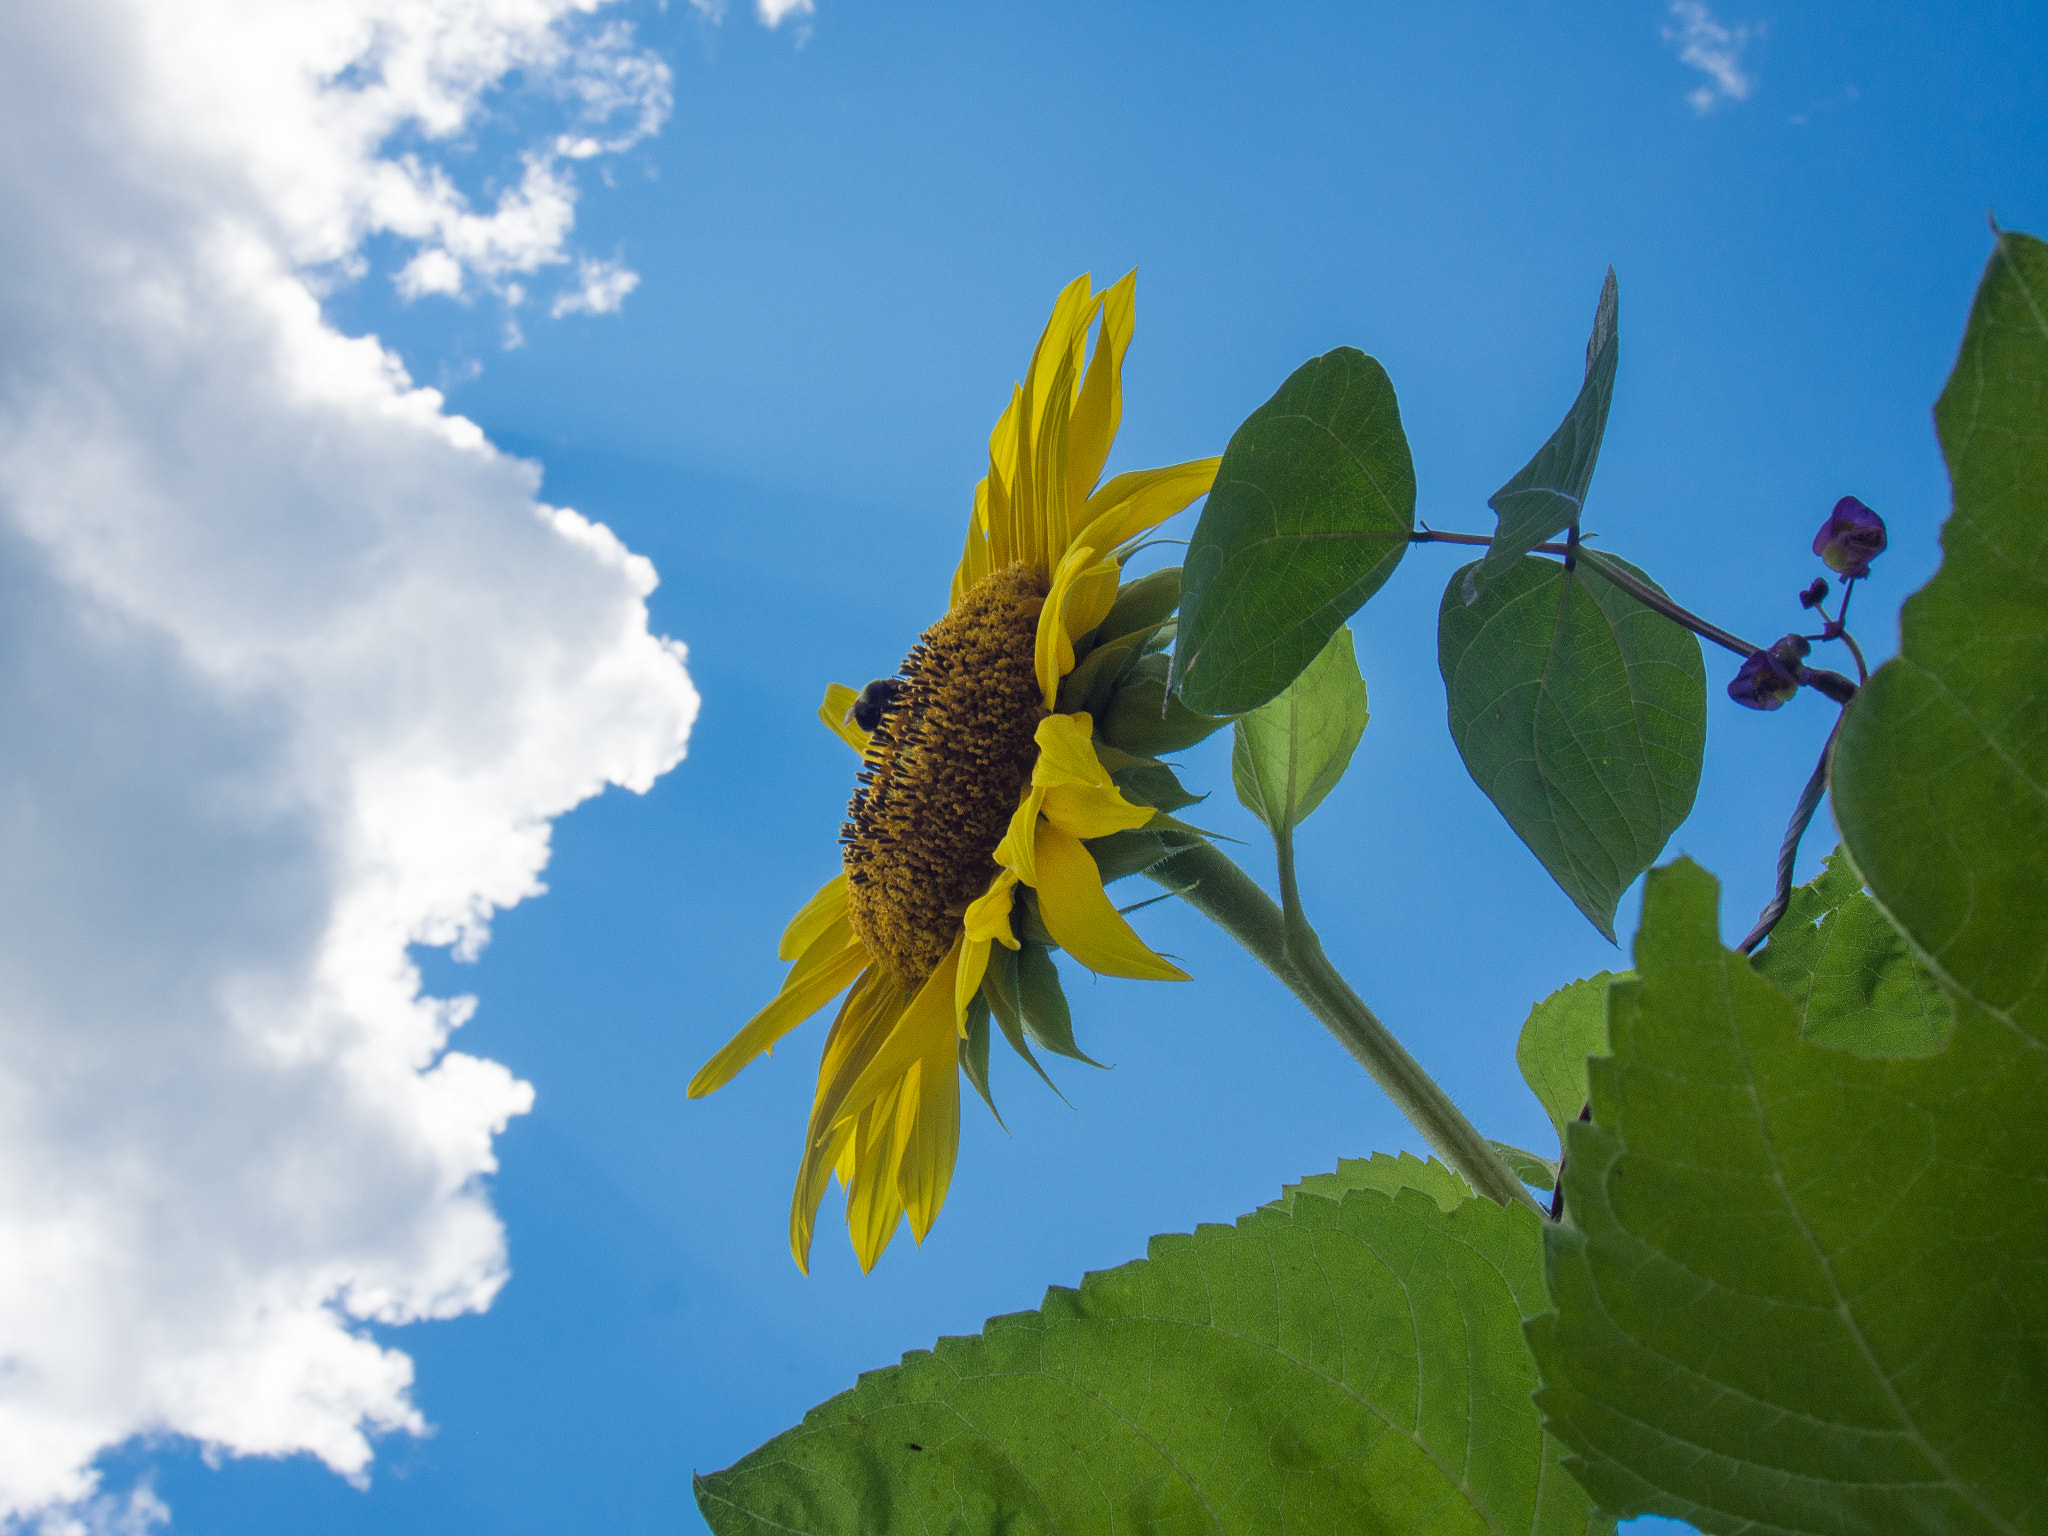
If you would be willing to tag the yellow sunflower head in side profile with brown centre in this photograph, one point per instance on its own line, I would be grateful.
(978, 796)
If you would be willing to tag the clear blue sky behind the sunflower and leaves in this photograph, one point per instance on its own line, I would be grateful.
(847, 239)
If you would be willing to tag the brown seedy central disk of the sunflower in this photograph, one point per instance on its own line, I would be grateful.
(945, 771)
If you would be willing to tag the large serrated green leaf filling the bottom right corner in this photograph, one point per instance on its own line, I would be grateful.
(1799, 1291)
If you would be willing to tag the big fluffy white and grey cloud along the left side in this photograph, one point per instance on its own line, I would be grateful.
(294, 673)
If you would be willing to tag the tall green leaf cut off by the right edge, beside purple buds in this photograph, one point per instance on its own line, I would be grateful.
(1940, 775)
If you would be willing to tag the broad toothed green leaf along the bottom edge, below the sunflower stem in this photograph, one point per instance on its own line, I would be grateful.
(1342, 1361)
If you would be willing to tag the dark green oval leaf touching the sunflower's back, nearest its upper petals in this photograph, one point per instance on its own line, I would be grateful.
(1310, 515)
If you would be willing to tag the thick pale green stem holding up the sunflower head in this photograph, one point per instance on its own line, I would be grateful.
(1285, 945)
